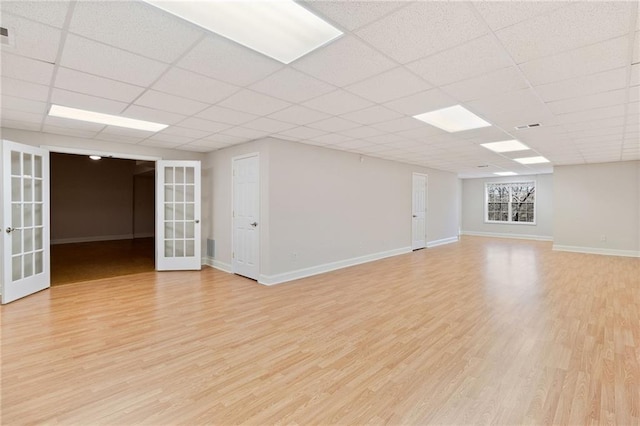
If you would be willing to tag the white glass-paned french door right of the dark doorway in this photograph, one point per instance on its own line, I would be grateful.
(178, 215)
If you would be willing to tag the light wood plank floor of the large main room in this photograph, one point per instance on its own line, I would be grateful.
(479, 332)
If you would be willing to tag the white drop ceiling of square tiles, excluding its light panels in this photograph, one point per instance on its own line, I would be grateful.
(573, 67)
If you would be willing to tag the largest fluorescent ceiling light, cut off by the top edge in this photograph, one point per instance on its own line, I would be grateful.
(282, 29)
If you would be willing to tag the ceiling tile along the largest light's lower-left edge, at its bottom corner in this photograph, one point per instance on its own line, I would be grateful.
(225, 60)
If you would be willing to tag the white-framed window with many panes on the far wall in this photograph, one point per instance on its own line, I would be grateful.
(513, 202)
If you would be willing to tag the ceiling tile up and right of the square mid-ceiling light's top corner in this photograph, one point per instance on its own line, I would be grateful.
(493, 83)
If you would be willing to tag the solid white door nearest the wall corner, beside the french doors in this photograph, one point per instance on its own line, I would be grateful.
(246, 212)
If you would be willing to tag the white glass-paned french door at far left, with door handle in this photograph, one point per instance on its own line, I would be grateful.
(25, 220)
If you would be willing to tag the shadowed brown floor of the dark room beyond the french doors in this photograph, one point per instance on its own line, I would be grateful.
(101, 259)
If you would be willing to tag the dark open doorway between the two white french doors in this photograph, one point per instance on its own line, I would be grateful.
(102, 217)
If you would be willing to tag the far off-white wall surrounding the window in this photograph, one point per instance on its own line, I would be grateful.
(473, 208)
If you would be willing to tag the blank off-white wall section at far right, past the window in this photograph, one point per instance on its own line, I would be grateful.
(594, 201)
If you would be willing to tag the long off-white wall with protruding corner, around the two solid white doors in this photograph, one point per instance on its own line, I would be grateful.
(321, 206)
